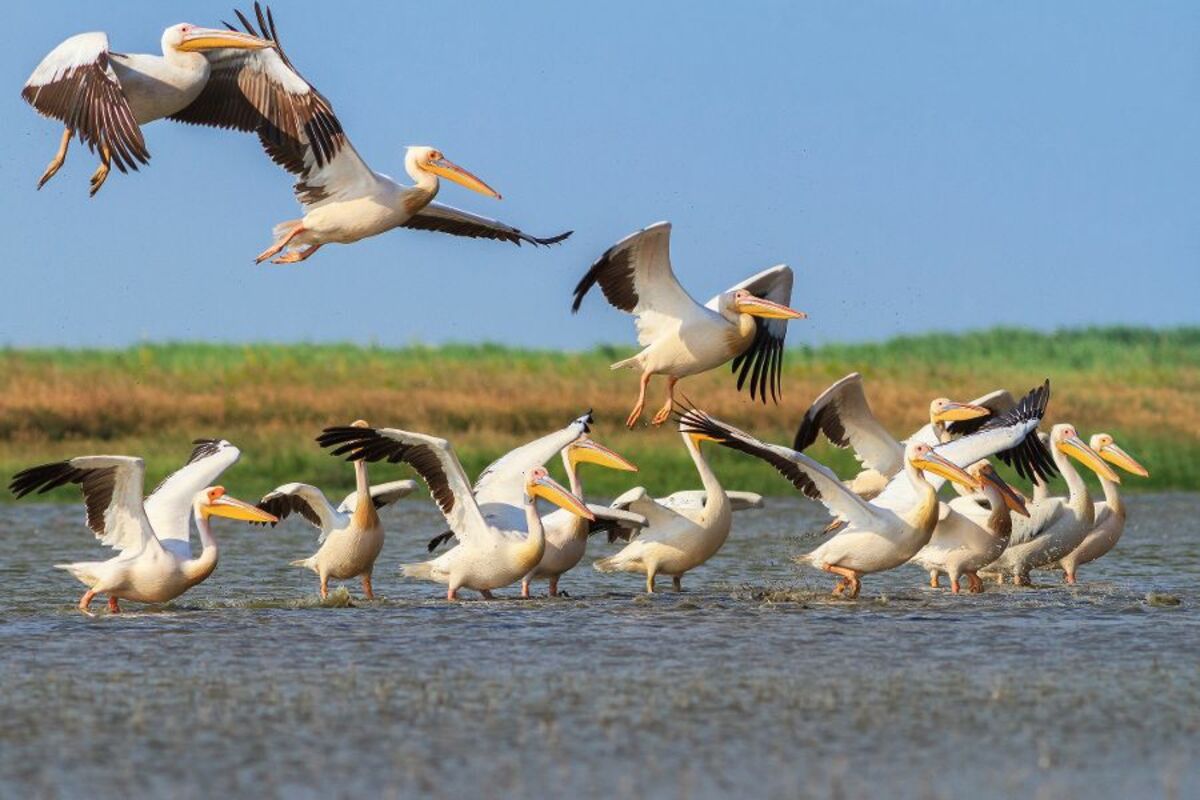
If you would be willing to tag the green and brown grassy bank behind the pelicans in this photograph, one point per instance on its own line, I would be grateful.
(272, 400)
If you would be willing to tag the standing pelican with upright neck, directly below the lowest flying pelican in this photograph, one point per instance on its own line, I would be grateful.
(683, 531)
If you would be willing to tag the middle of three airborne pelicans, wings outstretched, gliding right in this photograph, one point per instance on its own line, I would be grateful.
(344, 200)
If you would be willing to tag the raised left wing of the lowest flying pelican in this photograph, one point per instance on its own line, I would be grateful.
(635, 276)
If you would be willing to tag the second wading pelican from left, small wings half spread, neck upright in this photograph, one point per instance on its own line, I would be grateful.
(351, 536)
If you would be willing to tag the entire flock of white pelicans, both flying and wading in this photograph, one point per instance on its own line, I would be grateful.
(885, 518)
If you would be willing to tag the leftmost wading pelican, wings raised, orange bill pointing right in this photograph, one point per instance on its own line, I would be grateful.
(145, 572)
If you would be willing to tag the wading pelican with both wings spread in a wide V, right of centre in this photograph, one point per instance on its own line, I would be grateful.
(891, 530)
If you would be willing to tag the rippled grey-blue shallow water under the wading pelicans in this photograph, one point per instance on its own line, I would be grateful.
(752, 683)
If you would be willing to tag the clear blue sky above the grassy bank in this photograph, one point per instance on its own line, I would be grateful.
(921, 166)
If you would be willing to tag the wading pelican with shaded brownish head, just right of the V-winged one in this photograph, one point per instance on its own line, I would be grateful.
(963, 545)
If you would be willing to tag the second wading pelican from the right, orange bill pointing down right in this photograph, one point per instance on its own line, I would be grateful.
(1057, 526)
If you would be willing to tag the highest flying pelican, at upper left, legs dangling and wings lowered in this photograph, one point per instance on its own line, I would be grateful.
(104, 98)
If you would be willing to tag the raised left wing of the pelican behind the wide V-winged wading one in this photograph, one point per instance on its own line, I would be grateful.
(844, 416)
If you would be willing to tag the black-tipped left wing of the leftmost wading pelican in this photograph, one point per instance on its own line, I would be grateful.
(112, 492)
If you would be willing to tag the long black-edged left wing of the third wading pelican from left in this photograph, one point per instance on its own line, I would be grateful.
(433, 459)
